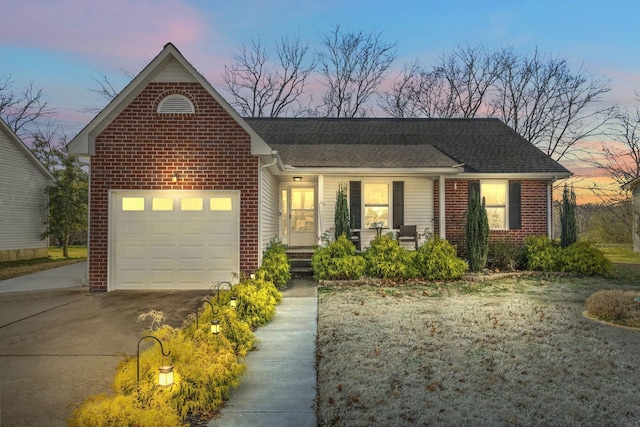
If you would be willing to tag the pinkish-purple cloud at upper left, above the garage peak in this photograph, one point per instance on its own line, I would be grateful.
(115, 29)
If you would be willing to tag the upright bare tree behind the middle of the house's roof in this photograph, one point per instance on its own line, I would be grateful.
(352, 66)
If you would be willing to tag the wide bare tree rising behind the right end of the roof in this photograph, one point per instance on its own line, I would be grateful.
(550, 105)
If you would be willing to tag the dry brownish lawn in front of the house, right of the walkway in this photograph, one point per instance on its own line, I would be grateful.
(511, 352)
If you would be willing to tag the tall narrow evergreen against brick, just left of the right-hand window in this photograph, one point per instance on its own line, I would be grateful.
(477, 232)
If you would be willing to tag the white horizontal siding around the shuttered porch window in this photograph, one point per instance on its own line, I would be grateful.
(418, 201)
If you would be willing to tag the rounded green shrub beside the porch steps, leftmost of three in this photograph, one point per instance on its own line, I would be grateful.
(337, 261)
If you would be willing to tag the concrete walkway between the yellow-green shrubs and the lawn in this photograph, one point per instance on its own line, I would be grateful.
(279, 388)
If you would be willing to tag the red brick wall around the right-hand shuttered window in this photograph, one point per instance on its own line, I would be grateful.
(533, 211)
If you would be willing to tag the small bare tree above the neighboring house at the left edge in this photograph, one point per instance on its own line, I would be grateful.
(21, 110)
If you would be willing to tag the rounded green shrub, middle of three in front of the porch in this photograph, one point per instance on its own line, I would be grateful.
(386, 259)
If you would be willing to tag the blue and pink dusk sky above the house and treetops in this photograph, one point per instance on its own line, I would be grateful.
(61, 45)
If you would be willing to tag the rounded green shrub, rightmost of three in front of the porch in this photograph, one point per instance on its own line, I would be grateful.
(436, 259)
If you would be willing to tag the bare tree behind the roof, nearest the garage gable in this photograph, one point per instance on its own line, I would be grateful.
(261, 88)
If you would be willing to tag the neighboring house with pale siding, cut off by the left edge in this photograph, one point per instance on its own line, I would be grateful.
(23, 201)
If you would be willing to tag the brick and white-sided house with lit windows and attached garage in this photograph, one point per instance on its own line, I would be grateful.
(185, 192)
